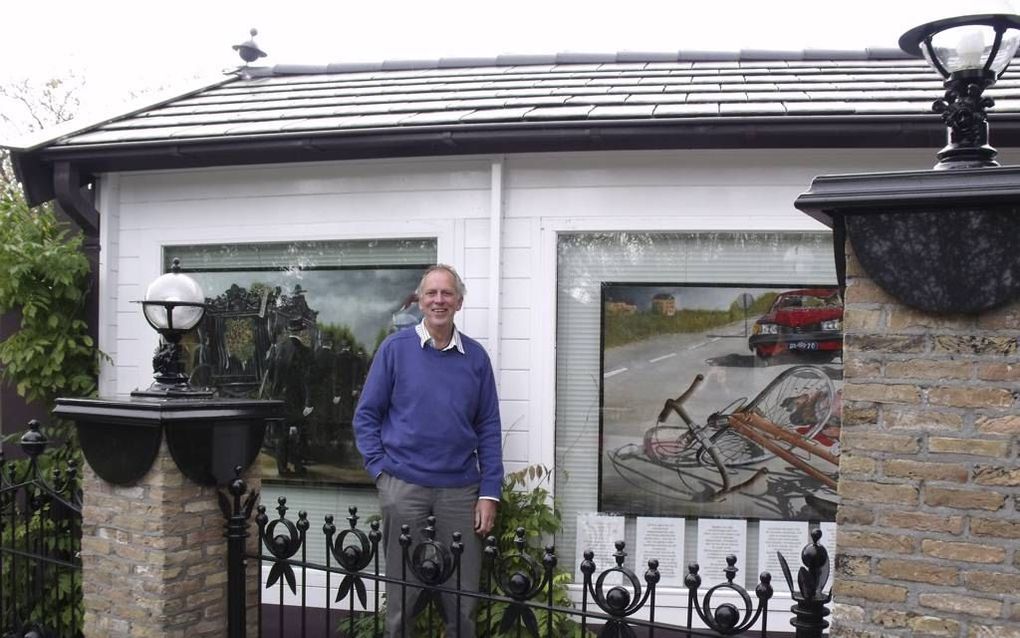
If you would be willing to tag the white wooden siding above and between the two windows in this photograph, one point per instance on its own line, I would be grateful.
(451, 200)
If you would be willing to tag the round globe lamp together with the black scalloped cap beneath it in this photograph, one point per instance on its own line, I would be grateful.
(208, 436)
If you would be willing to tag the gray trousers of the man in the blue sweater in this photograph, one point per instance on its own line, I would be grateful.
(404, 504)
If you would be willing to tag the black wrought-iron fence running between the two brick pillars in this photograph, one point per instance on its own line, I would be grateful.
(518, 599)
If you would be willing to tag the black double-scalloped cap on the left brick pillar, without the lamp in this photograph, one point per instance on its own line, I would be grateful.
(207, 437)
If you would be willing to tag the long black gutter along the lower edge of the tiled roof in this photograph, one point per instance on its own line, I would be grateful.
(522, 137)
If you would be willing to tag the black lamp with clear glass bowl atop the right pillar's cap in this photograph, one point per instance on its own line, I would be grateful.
(971, 54)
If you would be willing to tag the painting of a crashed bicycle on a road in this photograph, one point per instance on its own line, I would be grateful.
(721, 401)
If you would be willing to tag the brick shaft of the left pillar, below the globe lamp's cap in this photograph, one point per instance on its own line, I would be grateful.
(155, 557)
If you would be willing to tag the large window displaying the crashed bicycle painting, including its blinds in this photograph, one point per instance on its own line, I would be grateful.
(756, 319)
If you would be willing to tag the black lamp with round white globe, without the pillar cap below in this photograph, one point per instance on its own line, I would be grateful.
(174, 305)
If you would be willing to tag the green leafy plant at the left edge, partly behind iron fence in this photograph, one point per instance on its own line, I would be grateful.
(52, 355)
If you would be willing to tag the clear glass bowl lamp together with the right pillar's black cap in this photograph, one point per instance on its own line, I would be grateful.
(942, 240)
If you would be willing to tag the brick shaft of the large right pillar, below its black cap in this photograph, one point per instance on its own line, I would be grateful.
(930, 476)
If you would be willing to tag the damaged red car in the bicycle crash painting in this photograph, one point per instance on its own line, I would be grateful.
(801, 322)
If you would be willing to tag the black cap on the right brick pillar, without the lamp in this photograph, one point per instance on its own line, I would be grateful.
(940, 241)
